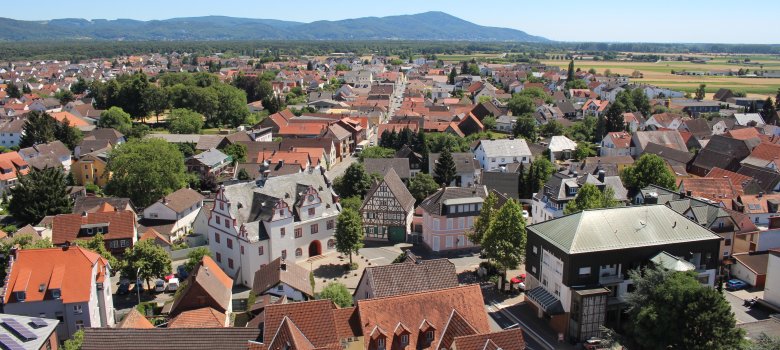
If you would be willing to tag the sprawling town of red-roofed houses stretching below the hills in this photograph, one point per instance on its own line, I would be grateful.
(373, 179)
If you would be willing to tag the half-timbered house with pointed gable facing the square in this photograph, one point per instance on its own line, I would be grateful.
(388, 209)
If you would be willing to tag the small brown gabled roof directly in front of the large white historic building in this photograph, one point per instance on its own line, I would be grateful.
(270, 275)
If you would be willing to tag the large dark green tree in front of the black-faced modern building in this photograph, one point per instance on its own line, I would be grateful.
(672, 310)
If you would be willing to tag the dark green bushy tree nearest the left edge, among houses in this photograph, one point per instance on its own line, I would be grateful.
(38, 194)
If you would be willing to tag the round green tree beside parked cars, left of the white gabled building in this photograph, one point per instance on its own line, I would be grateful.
(148, 259)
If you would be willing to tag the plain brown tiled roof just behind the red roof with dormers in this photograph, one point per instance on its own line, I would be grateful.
(410, 277)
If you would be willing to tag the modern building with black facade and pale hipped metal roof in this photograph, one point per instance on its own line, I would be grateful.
(577, 265)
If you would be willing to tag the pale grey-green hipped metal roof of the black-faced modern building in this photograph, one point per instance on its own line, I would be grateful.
(620, 228)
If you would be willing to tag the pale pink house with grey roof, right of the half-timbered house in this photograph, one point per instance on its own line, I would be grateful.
(449, 214)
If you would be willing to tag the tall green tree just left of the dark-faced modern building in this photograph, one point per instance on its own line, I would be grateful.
(504, 241)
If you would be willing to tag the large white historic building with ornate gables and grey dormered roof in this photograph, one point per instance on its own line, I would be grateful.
(292, 217)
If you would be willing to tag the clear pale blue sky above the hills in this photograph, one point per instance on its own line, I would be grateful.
(566, 20)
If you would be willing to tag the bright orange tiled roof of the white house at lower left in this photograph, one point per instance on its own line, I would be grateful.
(68, 269)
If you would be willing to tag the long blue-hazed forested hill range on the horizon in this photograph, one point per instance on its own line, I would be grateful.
(423, 26)
